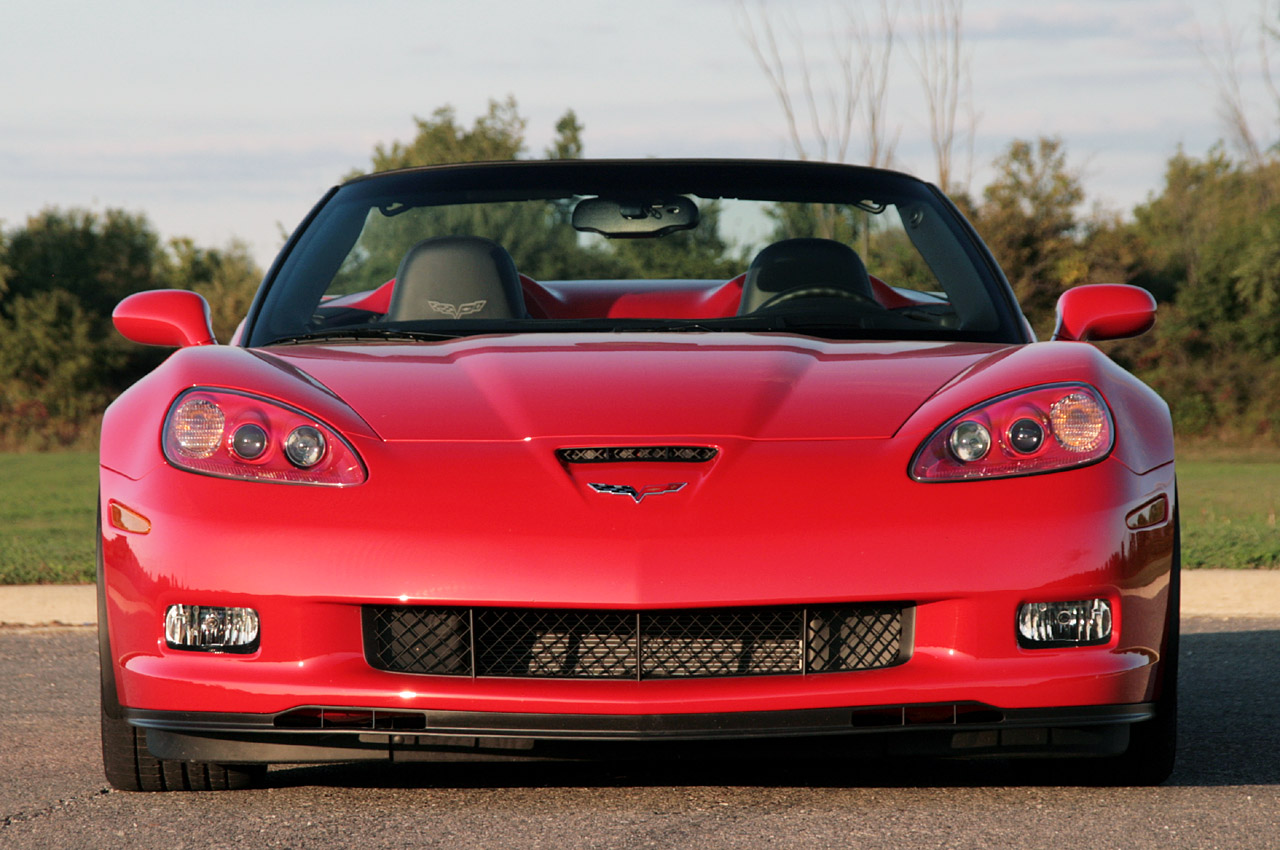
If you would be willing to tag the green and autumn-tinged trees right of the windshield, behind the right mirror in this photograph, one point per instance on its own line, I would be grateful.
(1206, 245)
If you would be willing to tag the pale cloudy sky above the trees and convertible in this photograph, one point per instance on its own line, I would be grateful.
(228, 121)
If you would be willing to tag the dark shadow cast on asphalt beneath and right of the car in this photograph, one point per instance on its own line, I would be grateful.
(1229, 732)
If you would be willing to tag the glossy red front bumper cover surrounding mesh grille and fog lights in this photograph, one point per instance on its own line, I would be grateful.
(310, 560)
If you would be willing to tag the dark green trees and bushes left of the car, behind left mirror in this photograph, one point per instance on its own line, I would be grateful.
(61, 277)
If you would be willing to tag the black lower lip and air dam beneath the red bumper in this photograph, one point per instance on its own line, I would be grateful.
(961, 730)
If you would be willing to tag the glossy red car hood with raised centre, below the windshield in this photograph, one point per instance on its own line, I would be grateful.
(633, 386)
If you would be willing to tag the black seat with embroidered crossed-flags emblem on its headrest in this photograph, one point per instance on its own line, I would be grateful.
(458, 277)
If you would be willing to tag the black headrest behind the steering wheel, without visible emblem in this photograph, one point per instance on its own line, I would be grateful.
(794, 264)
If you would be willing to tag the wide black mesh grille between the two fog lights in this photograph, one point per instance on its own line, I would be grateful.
(633, 645)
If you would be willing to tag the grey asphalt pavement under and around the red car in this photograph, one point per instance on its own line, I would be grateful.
(1224, 793)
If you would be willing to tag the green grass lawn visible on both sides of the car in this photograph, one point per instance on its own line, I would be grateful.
(47, 515)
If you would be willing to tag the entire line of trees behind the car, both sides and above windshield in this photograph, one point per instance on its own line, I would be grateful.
(1206, 245)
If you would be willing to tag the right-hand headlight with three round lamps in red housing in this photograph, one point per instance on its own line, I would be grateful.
(1035, 431)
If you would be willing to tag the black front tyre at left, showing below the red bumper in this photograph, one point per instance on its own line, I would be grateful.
(130, 767)
